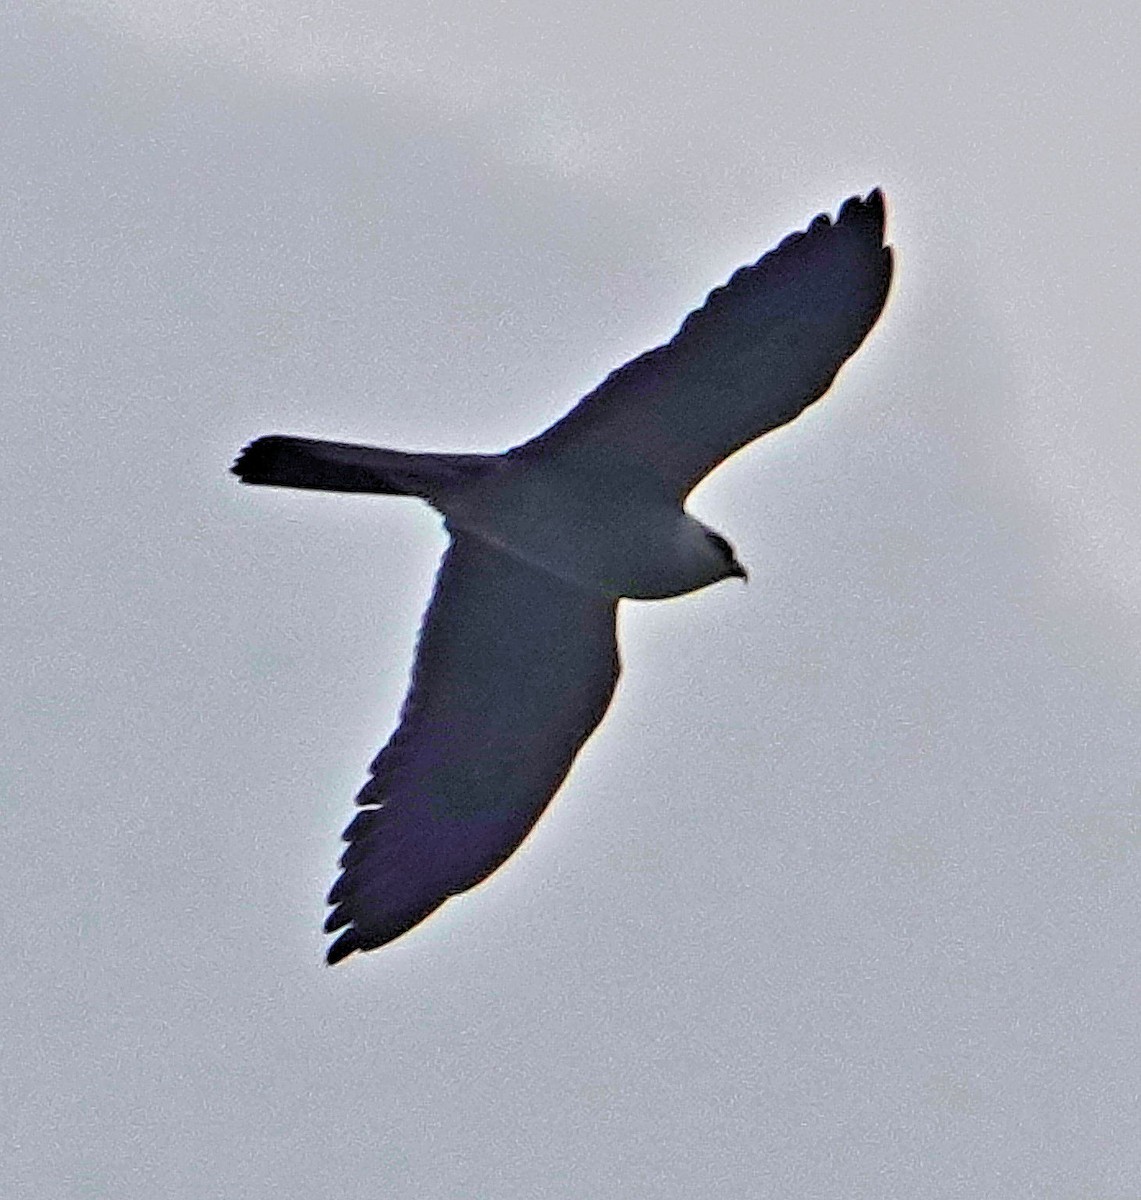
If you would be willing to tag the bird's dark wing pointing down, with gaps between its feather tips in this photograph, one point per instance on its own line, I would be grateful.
(514, 671)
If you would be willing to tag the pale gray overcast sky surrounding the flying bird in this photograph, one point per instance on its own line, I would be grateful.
(842, 902)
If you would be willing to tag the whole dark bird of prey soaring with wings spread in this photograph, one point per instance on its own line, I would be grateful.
(518, 658)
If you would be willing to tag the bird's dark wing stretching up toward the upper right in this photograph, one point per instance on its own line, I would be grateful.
(755, 356)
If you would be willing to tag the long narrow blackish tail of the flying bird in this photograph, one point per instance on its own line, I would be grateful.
(283, 461)
